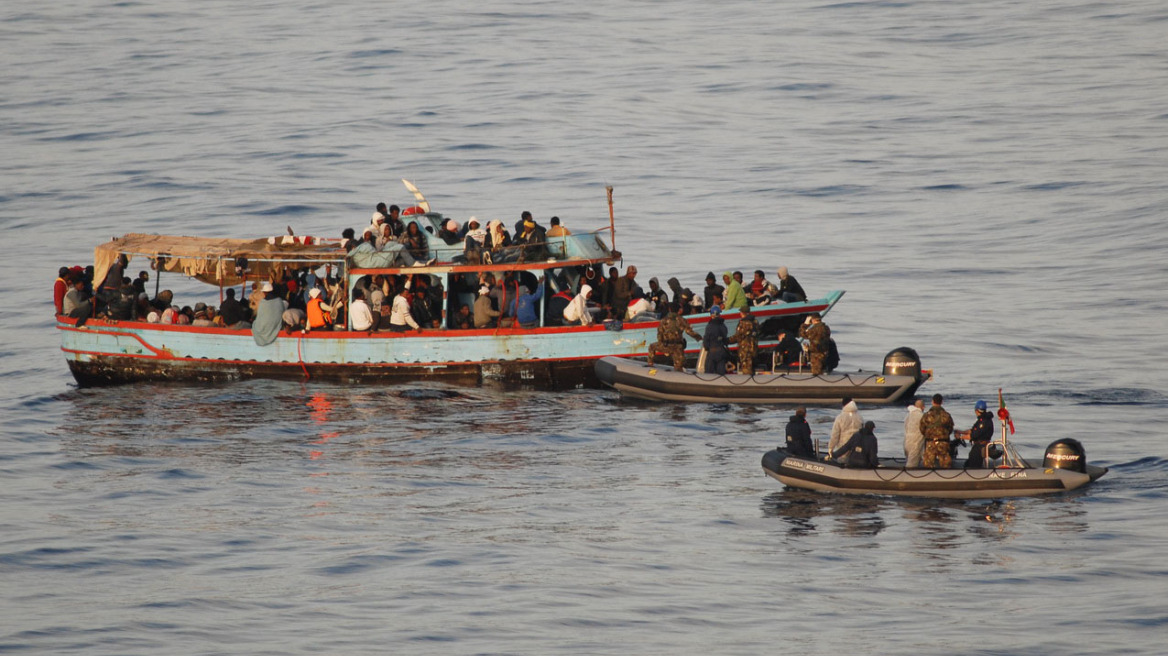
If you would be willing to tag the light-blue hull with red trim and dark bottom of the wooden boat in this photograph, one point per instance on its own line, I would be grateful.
(102, 353)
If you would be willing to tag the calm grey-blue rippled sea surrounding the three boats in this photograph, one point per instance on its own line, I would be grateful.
(988, 182)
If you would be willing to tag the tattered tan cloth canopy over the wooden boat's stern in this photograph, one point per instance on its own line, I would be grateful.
(213, 260)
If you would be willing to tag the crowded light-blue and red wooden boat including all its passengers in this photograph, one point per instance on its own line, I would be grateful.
(413, 296)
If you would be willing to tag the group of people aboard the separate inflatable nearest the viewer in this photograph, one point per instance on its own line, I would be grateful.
(930, 439)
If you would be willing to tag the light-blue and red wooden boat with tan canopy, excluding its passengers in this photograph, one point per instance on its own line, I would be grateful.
(551, 355)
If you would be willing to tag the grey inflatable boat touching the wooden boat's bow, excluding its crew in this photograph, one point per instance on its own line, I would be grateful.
(900, 380)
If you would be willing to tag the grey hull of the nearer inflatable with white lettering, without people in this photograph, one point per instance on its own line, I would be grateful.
(895, 480)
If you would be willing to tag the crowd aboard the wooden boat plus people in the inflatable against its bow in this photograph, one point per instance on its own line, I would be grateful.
(303, 299)
